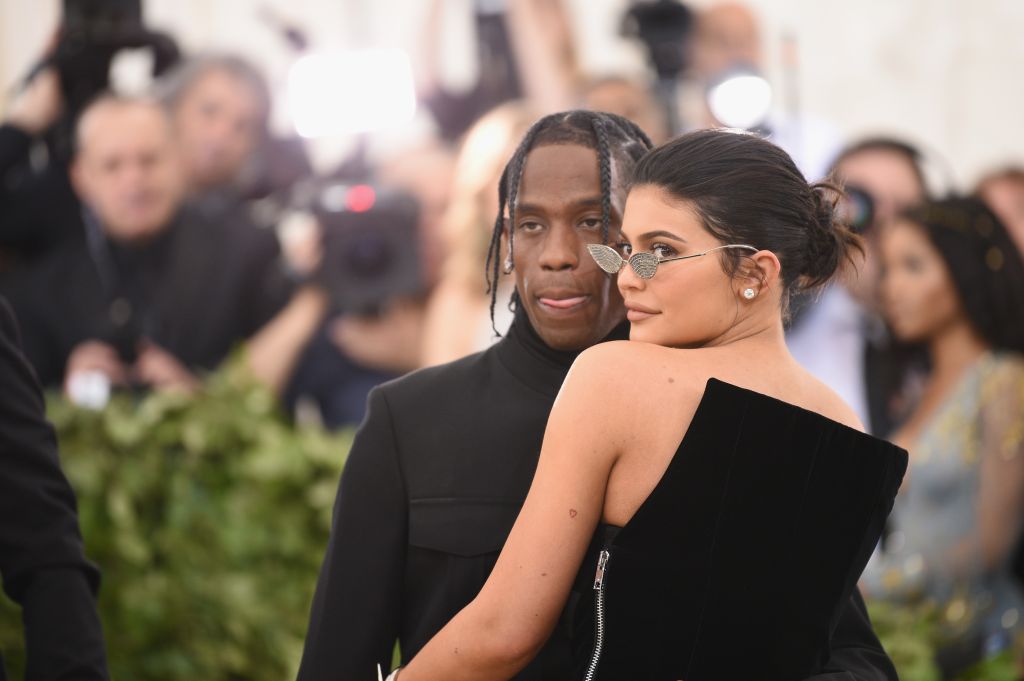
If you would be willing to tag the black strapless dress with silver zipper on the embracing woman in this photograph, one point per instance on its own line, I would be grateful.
(767, 514)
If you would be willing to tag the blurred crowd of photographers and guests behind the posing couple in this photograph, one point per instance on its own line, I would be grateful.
(145, 240)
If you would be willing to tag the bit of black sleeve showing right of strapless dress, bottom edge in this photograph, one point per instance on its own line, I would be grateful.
(857, 653)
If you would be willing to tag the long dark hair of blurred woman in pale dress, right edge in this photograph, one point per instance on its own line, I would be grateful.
(985, 265)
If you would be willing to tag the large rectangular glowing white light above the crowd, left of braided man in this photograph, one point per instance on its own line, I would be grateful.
(351, 93)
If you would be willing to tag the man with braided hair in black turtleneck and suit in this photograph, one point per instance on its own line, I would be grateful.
(442, 465)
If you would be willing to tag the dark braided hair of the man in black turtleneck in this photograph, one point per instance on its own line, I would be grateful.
(611, 136)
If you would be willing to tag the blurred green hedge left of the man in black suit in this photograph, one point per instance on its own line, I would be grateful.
(209, 517)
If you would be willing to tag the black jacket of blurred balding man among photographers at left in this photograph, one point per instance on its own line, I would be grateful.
(196, 290)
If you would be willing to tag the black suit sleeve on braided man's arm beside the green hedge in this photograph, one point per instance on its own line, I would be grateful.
(357, 611)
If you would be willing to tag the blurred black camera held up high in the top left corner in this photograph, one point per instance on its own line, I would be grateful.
(92, 35)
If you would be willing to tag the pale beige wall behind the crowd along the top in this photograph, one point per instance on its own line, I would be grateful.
(947, 73)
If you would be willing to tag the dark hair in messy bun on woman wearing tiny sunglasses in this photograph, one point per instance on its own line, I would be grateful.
(748, 191)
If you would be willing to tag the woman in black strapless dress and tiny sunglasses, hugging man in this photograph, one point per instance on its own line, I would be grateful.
(758, 492)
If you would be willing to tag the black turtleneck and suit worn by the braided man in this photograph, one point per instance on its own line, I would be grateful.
(434, 484)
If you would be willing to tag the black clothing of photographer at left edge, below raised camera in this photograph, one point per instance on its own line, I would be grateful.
(38, 207)
